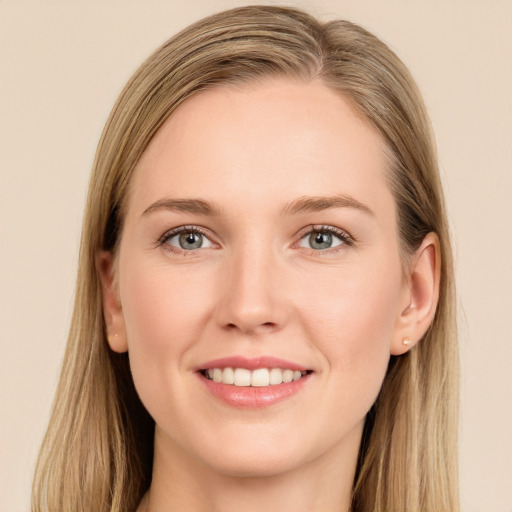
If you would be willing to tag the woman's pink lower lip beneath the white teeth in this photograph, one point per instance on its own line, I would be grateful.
(252, 396)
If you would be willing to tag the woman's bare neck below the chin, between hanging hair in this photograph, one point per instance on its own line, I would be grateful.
(181, 482)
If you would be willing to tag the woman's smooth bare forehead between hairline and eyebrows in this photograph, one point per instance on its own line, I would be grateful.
(274, 140)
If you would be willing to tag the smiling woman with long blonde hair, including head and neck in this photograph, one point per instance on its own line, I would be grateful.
(264, 311)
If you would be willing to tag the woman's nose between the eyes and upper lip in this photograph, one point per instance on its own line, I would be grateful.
(253, 293)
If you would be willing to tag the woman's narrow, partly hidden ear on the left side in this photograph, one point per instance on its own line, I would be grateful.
(112, 310)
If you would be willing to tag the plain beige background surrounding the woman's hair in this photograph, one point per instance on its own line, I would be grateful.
(62, 64)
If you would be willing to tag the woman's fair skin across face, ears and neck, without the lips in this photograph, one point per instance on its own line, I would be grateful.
(257, 287)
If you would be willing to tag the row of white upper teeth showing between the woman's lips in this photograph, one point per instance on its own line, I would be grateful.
(257, 378)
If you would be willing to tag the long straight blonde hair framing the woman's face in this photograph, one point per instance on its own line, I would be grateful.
(98, 450)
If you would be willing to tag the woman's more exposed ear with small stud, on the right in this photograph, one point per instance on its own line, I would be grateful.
(420, 297)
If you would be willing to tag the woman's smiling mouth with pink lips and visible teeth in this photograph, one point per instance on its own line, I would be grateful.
(253, 383)
